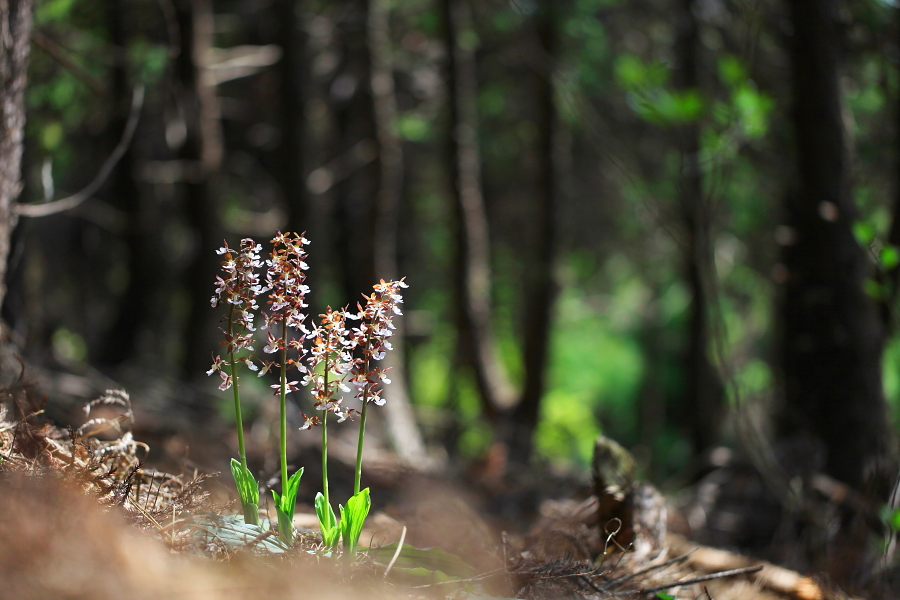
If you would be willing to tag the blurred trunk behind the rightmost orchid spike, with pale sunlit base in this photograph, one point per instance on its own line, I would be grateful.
(405, 434)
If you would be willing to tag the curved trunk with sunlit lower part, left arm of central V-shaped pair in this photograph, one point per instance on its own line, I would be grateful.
(472, 275)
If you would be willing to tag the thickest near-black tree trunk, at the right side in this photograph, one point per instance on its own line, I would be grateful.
(832, 336)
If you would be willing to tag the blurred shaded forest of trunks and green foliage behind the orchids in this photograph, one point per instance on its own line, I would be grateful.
(673, 221)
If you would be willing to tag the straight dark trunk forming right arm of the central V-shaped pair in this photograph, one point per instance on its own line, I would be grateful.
(540, 286)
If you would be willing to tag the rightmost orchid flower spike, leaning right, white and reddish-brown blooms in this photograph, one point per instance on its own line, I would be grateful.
(376, 326)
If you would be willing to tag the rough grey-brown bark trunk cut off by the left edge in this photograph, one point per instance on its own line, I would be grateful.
(15, 35)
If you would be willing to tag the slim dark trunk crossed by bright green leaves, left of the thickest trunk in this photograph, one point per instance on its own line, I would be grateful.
(702, 408)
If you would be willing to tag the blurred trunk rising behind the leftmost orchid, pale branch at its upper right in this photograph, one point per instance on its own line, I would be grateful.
(203, 150)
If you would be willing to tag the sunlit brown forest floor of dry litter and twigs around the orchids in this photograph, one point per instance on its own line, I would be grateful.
(81, 516)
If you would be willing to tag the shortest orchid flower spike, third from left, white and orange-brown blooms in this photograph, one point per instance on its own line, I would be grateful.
(329, 361)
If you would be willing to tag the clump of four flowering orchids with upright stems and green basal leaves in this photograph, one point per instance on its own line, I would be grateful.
(335, 354)
